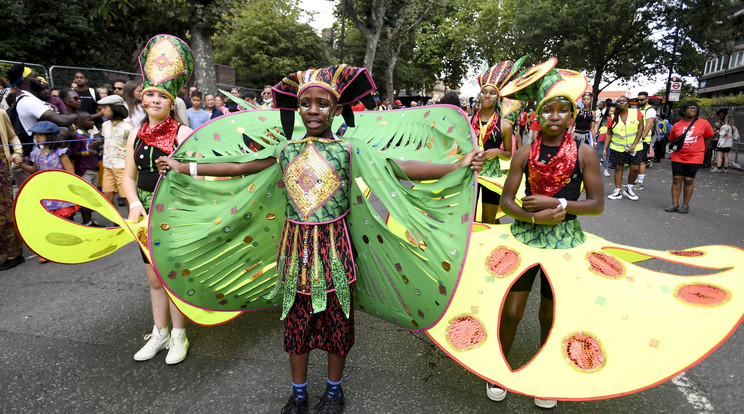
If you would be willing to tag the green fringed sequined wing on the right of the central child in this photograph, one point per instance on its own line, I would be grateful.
(410, 262)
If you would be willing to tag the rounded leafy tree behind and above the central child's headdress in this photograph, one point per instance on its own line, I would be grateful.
(265, 41)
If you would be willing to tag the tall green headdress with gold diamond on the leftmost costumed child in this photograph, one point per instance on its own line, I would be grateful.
(166, 63)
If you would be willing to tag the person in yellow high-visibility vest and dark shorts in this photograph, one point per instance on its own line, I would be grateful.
(624, 131)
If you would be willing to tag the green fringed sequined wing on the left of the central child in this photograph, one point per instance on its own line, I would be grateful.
(214, 241)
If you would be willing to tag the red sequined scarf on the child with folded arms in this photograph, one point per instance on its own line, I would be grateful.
(548, 178)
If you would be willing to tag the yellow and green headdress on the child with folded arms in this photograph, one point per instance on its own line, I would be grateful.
(542, 83)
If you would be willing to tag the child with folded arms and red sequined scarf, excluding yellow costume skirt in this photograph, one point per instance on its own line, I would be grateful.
(555, 166)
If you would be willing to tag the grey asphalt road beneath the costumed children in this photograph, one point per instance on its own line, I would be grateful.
(68, 333)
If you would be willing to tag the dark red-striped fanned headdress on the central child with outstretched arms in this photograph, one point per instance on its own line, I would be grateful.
(347, 84)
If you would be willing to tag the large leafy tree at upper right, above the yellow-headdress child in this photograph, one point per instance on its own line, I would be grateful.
(609, 40)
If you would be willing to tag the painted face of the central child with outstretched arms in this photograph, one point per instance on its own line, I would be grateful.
(317, 108)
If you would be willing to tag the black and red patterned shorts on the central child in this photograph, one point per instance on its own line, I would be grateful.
(329, 330)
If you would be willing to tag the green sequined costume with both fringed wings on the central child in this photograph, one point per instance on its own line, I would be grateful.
(215, 242)
